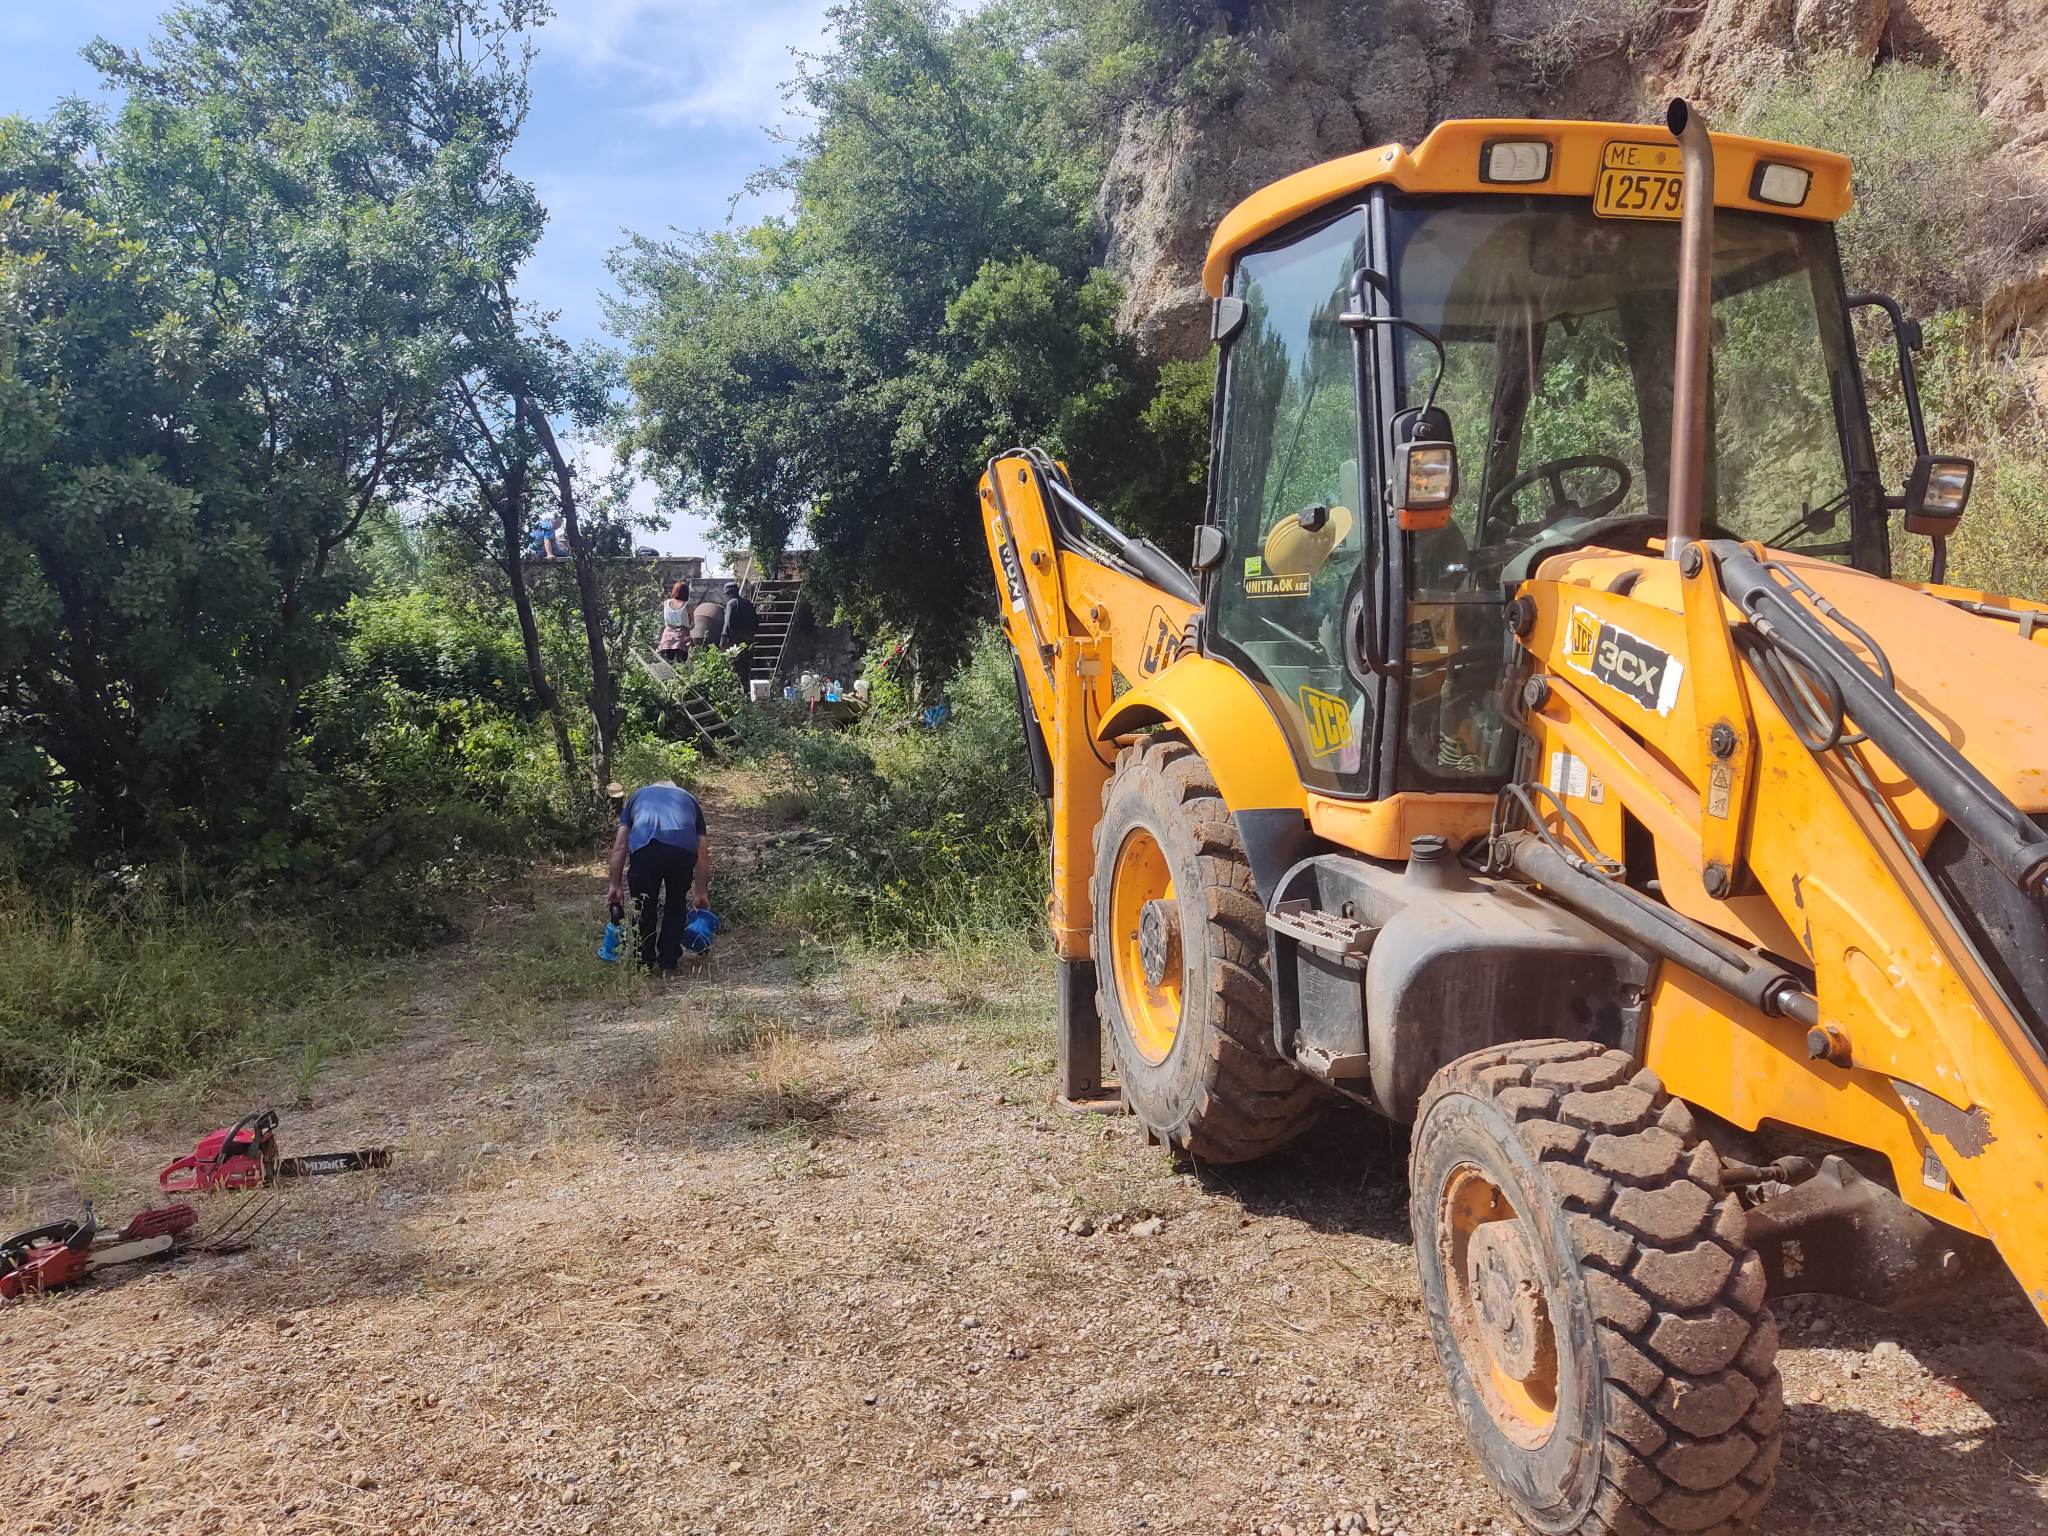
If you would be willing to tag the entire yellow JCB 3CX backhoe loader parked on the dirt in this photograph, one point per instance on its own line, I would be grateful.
(1539, 753)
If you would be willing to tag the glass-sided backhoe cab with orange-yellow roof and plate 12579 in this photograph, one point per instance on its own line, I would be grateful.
(1441, 366)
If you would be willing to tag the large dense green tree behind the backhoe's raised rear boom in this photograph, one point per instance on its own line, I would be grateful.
(929, 302)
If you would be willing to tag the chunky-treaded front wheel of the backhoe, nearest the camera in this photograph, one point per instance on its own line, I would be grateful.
(1592, 1295)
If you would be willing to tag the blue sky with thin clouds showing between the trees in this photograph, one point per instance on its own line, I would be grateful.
(648, 116)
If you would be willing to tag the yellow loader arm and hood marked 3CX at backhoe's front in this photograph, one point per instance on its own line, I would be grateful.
(1826, 744)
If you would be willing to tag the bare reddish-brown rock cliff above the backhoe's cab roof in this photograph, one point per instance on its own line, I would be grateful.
(1324, 79)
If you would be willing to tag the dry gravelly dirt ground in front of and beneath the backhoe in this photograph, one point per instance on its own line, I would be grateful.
(802, 1246)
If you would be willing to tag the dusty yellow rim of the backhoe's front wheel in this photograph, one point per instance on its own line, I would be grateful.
(1500, 1310)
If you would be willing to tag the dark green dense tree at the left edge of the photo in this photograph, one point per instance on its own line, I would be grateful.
(138, 560)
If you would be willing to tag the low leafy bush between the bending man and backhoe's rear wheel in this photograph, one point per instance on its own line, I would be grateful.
(916, 835)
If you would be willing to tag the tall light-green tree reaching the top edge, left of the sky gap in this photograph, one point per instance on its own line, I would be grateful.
(325, 183)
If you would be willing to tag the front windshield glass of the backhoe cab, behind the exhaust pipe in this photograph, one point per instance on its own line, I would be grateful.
(1560, 335)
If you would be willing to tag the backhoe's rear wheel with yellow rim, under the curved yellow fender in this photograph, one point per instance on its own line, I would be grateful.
(1181, 959)
